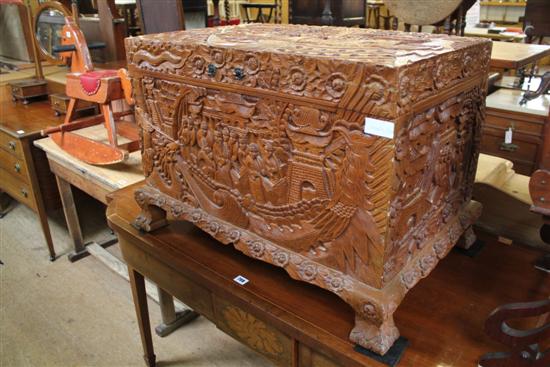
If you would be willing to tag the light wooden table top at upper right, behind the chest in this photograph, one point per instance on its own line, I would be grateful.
(516, 55)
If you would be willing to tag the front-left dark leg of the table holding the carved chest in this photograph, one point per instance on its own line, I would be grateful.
(137, 283)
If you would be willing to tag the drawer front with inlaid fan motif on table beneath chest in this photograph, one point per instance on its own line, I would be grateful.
(255, 333)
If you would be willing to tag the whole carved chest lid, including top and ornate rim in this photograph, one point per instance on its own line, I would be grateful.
(348, 68)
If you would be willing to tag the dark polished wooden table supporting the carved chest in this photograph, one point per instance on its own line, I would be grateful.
(296, 324)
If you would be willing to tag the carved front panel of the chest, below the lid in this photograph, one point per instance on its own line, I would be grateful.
(301, 177)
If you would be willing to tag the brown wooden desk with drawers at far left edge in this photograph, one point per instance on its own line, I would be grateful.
(24, 171)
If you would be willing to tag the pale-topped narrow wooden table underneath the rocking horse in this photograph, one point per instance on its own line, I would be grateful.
(99, 182)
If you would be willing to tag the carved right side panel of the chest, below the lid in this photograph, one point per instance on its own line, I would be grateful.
(436, 160)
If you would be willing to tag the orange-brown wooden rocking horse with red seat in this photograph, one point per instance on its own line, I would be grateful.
(99, 86)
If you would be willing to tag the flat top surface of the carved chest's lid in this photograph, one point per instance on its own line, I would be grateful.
(383, 48)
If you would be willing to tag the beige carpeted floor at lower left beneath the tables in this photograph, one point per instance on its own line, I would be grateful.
(82, 314)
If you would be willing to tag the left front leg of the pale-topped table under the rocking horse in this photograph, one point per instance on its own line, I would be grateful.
(71, 216)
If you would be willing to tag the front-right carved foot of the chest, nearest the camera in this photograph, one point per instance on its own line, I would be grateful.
(378, 338)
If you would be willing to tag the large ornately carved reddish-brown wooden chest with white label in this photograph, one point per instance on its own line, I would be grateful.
(345, 156)
